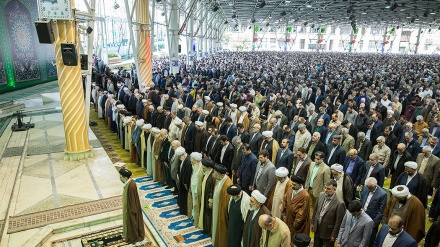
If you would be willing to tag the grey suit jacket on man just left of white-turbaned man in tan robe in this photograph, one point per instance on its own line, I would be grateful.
(264, 181)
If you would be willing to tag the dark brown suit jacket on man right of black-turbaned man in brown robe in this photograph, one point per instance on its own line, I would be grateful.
(332, 218)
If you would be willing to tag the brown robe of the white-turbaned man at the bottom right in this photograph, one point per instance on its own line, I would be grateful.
(412, 213)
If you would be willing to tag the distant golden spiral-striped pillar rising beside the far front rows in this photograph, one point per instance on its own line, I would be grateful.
(144, 49)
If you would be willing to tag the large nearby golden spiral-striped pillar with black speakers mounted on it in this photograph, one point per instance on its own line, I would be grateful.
(72, 104)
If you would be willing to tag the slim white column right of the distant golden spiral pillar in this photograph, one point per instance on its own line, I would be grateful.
(174, 37)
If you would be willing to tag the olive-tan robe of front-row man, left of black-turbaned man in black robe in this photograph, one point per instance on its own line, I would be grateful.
(220, 212)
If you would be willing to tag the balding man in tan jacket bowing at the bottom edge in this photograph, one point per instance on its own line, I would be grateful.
(275, 232)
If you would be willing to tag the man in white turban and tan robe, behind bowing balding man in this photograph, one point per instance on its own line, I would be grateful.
(283, 184)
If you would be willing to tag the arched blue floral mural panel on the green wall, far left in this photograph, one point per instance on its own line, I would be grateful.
(22, 41)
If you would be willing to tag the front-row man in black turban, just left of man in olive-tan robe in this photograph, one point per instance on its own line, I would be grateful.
(206, 193)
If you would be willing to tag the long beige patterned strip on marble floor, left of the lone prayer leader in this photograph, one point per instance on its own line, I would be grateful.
(39, 219)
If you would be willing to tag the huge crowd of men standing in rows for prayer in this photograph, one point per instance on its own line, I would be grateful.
(265, 148)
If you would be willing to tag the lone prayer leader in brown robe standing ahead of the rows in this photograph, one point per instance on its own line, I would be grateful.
(133, 223)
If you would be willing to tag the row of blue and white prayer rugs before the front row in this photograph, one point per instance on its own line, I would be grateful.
(160, 207)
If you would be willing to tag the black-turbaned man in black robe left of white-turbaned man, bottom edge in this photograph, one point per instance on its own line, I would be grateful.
(237, 211)
